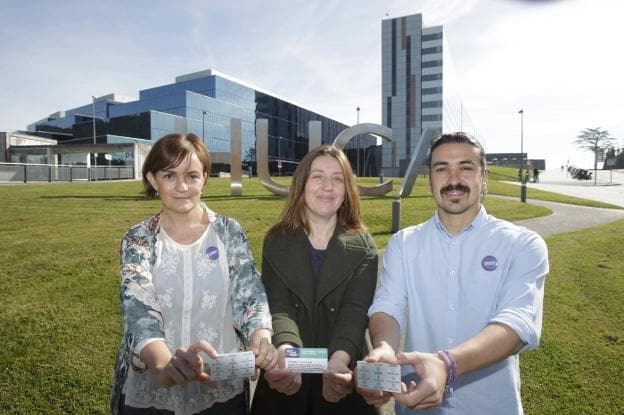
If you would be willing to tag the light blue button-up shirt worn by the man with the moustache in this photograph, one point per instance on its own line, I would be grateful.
(444, 289)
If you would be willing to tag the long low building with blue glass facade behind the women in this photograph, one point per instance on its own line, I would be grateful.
(202, 103)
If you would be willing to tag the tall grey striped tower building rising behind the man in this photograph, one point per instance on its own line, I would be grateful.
(418, 88)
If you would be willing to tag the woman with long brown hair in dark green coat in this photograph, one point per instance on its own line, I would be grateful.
(319, 268)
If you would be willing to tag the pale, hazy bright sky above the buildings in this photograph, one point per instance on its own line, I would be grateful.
(560, 61)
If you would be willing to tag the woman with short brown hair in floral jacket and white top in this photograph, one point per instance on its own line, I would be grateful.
(189, 285)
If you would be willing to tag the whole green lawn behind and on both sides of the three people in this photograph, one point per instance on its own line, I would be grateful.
(59, 312)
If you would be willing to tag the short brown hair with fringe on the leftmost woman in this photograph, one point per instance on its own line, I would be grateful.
(169, 151)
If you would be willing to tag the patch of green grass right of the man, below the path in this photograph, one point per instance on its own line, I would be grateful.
(578, 367)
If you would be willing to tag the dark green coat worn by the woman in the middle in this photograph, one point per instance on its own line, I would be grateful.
(329, 311)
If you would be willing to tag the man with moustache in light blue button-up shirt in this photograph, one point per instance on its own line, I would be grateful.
(466, 289)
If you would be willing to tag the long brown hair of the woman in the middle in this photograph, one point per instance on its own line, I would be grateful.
(293, 217)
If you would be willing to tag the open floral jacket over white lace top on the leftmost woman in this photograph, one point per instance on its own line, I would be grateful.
(181, 294)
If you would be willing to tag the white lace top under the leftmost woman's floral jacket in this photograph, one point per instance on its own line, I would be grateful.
(192, 287)
